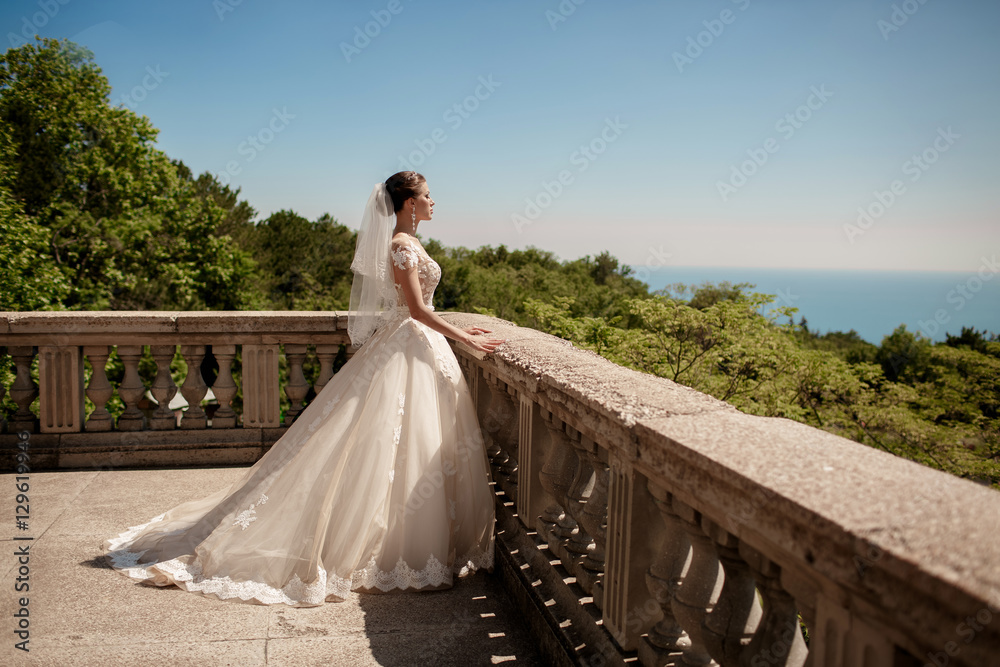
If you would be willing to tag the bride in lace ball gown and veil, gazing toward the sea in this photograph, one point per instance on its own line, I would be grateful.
(381, 483)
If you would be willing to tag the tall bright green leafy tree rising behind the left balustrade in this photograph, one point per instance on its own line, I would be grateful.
(123, 227)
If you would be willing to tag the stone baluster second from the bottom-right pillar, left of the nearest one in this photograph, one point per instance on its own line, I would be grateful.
(735, 617)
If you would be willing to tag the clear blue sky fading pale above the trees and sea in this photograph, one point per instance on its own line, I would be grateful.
(721, 133)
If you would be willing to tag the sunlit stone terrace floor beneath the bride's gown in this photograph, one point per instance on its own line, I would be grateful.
(82, 613)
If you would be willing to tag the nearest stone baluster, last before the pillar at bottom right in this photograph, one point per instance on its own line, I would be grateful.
(778, 641)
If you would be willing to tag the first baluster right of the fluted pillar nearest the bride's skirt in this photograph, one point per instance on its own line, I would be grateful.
(557, 475)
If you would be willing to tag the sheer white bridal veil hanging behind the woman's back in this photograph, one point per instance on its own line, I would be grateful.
(373, 294)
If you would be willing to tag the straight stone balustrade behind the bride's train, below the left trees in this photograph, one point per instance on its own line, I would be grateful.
(56, 344)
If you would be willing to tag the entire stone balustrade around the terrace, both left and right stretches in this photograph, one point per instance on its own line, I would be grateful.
(639, 521)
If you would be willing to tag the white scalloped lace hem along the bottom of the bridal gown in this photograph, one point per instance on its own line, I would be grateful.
(296, 592)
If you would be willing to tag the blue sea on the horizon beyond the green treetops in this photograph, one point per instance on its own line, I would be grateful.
(873, 303)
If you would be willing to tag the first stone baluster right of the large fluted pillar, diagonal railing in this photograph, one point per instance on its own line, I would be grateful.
(664, 643)
